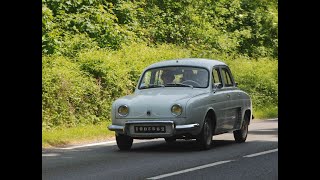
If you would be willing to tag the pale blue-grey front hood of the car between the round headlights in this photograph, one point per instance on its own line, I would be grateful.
(158, 101)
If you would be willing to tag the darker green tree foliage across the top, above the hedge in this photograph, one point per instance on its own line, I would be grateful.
(247, 27)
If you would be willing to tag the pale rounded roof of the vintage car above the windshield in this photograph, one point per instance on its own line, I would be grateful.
(199, 62)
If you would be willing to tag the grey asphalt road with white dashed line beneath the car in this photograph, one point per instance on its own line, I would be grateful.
(256, 159)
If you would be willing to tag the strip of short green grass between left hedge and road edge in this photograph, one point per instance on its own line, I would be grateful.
(76, 135)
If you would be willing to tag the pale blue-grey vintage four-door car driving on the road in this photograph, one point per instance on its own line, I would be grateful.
(187, 98)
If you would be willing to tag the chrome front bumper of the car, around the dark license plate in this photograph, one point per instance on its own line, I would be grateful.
(171, 128)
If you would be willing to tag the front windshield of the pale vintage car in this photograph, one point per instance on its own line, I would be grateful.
(182, 76)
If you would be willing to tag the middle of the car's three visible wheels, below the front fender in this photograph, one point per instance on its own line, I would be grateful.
(205, 137)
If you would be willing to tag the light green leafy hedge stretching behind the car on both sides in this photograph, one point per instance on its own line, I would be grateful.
(80, 90)
